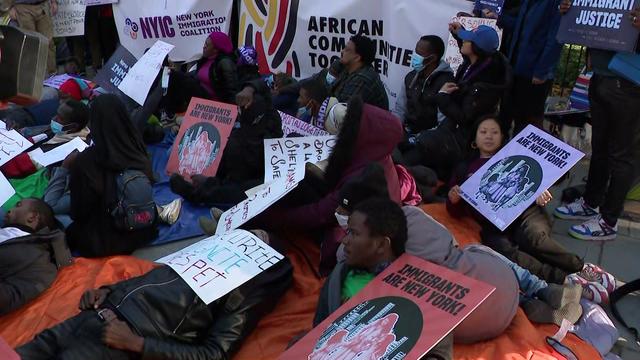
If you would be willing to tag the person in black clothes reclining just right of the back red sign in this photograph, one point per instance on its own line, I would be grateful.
(242, 163)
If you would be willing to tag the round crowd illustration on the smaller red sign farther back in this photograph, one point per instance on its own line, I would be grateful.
(198, 148)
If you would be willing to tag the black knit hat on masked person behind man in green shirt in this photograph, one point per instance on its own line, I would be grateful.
(371, 183)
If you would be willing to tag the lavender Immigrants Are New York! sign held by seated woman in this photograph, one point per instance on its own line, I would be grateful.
(513, 178)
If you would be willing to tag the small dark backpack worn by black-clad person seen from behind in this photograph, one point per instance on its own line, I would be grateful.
(135, 208)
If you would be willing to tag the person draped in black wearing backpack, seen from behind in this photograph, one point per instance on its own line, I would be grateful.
(98, 182)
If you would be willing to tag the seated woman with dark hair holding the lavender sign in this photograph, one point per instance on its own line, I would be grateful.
(528, 240)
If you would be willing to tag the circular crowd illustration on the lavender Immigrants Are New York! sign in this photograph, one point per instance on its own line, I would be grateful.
(509, 182)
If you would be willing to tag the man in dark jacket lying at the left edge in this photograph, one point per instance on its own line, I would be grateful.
(31, 252)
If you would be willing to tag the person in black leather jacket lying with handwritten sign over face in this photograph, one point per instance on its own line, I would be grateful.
(158, 316)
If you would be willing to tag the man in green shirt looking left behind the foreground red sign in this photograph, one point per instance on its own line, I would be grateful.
(376, 236)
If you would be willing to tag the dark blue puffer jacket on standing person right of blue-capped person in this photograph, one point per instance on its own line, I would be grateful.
(534, 50)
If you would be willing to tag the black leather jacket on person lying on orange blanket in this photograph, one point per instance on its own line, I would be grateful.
(176, 324)
